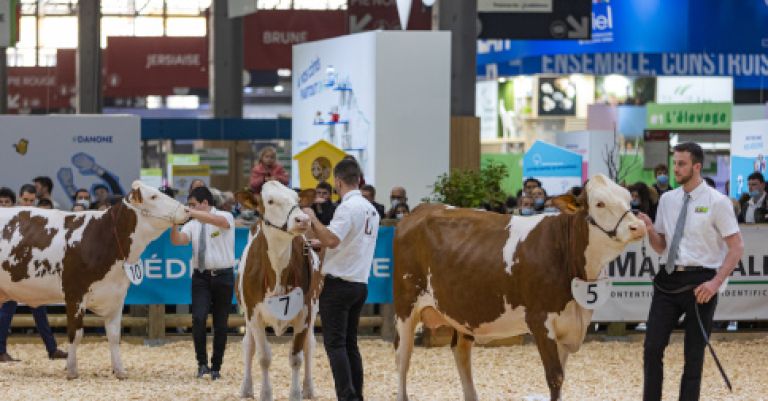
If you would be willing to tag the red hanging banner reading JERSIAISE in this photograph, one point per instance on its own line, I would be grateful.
(141, 66)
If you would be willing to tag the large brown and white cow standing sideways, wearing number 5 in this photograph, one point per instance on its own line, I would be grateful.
(493, 276)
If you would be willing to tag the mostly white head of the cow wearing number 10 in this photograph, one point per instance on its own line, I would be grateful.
(160, 210)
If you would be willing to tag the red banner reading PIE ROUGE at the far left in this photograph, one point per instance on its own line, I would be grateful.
(34, 89)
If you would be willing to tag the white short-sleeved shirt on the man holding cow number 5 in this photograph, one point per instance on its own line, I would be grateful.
(709, 220)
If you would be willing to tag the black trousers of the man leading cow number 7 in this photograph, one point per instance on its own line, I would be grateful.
(340, 305)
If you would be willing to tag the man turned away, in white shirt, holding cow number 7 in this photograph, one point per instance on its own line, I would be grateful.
(351, 239)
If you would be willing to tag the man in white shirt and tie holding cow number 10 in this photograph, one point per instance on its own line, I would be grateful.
(212, 234)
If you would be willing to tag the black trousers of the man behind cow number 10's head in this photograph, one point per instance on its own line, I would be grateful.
(211, 294)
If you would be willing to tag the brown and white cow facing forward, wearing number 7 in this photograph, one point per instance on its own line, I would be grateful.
(275, 261)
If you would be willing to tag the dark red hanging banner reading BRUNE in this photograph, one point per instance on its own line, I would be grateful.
(269, 35)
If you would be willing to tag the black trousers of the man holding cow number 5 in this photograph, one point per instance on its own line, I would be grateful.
(664, 314)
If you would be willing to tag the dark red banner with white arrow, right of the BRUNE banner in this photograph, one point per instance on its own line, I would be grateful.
(368, 15)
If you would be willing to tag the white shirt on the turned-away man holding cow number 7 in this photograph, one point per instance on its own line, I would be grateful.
(356, 223)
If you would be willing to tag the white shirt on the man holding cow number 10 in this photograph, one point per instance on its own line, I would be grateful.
(220, 242)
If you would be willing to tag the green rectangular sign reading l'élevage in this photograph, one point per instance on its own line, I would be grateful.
(704, 116)
